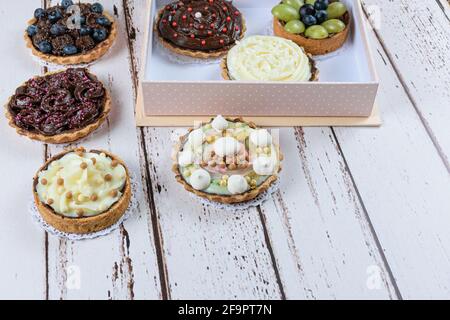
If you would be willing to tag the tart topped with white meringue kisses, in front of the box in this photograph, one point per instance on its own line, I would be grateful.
(227, 160)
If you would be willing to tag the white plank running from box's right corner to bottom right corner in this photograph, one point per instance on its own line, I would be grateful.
(404, 185)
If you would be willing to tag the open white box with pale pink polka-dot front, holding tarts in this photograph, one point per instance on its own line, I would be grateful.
(173, 93)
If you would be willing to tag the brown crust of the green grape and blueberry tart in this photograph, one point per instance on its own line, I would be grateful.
(314, 46)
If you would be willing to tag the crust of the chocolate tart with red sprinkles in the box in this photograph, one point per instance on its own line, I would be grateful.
(194, 53)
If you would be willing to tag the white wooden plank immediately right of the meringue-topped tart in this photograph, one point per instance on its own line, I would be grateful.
(324, 245)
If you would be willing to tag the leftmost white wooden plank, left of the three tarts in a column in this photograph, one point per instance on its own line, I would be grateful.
(22, 248)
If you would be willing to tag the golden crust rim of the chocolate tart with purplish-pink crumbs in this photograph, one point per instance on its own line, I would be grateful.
(66, 136)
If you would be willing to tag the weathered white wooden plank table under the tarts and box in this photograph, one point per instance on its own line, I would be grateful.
(361, 212)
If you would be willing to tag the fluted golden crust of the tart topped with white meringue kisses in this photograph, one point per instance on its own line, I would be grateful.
(238, 198)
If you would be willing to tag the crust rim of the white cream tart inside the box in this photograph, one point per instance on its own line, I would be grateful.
(226, 74)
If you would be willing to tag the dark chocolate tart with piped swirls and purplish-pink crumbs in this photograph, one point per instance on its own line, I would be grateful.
(98, 106)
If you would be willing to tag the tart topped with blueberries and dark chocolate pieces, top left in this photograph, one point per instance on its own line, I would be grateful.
(62, 36)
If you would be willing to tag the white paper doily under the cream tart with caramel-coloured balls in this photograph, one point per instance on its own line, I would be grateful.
(132, 208)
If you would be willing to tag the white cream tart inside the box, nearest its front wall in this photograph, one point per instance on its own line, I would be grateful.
(268, 58)
